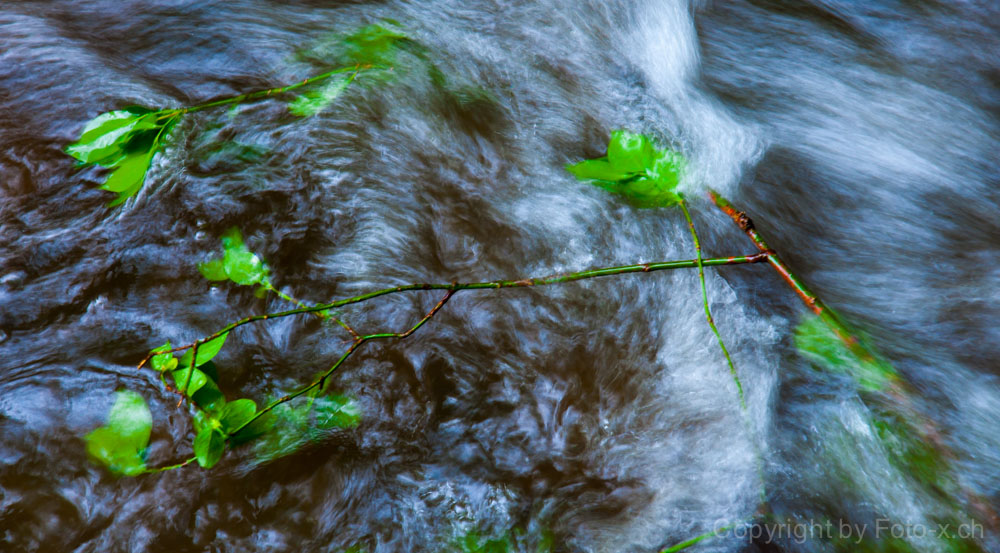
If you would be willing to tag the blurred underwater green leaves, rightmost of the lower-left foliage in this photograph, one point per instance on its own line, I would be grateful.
(294, 426)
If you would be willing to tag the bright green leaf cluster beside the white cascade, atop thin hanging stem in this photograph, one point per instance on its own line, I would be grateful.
(635, 168)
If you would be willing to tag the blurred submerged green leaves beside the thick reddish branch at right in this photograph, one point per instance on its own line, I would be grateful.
(817, 341)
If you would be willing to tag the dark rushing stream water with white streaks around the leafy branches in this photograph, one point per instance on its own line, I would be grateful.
(862, 136)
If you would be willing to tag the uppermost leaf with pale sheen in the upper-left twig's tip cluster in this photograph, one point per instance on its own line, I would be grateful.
(105, 136)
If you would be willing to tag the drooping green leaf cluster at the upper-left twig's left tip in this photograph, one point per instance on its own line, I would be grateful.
(125, 141)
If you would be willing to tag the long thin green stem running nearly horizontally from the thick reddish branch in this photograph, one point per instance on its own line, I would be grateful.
(490, 285)
